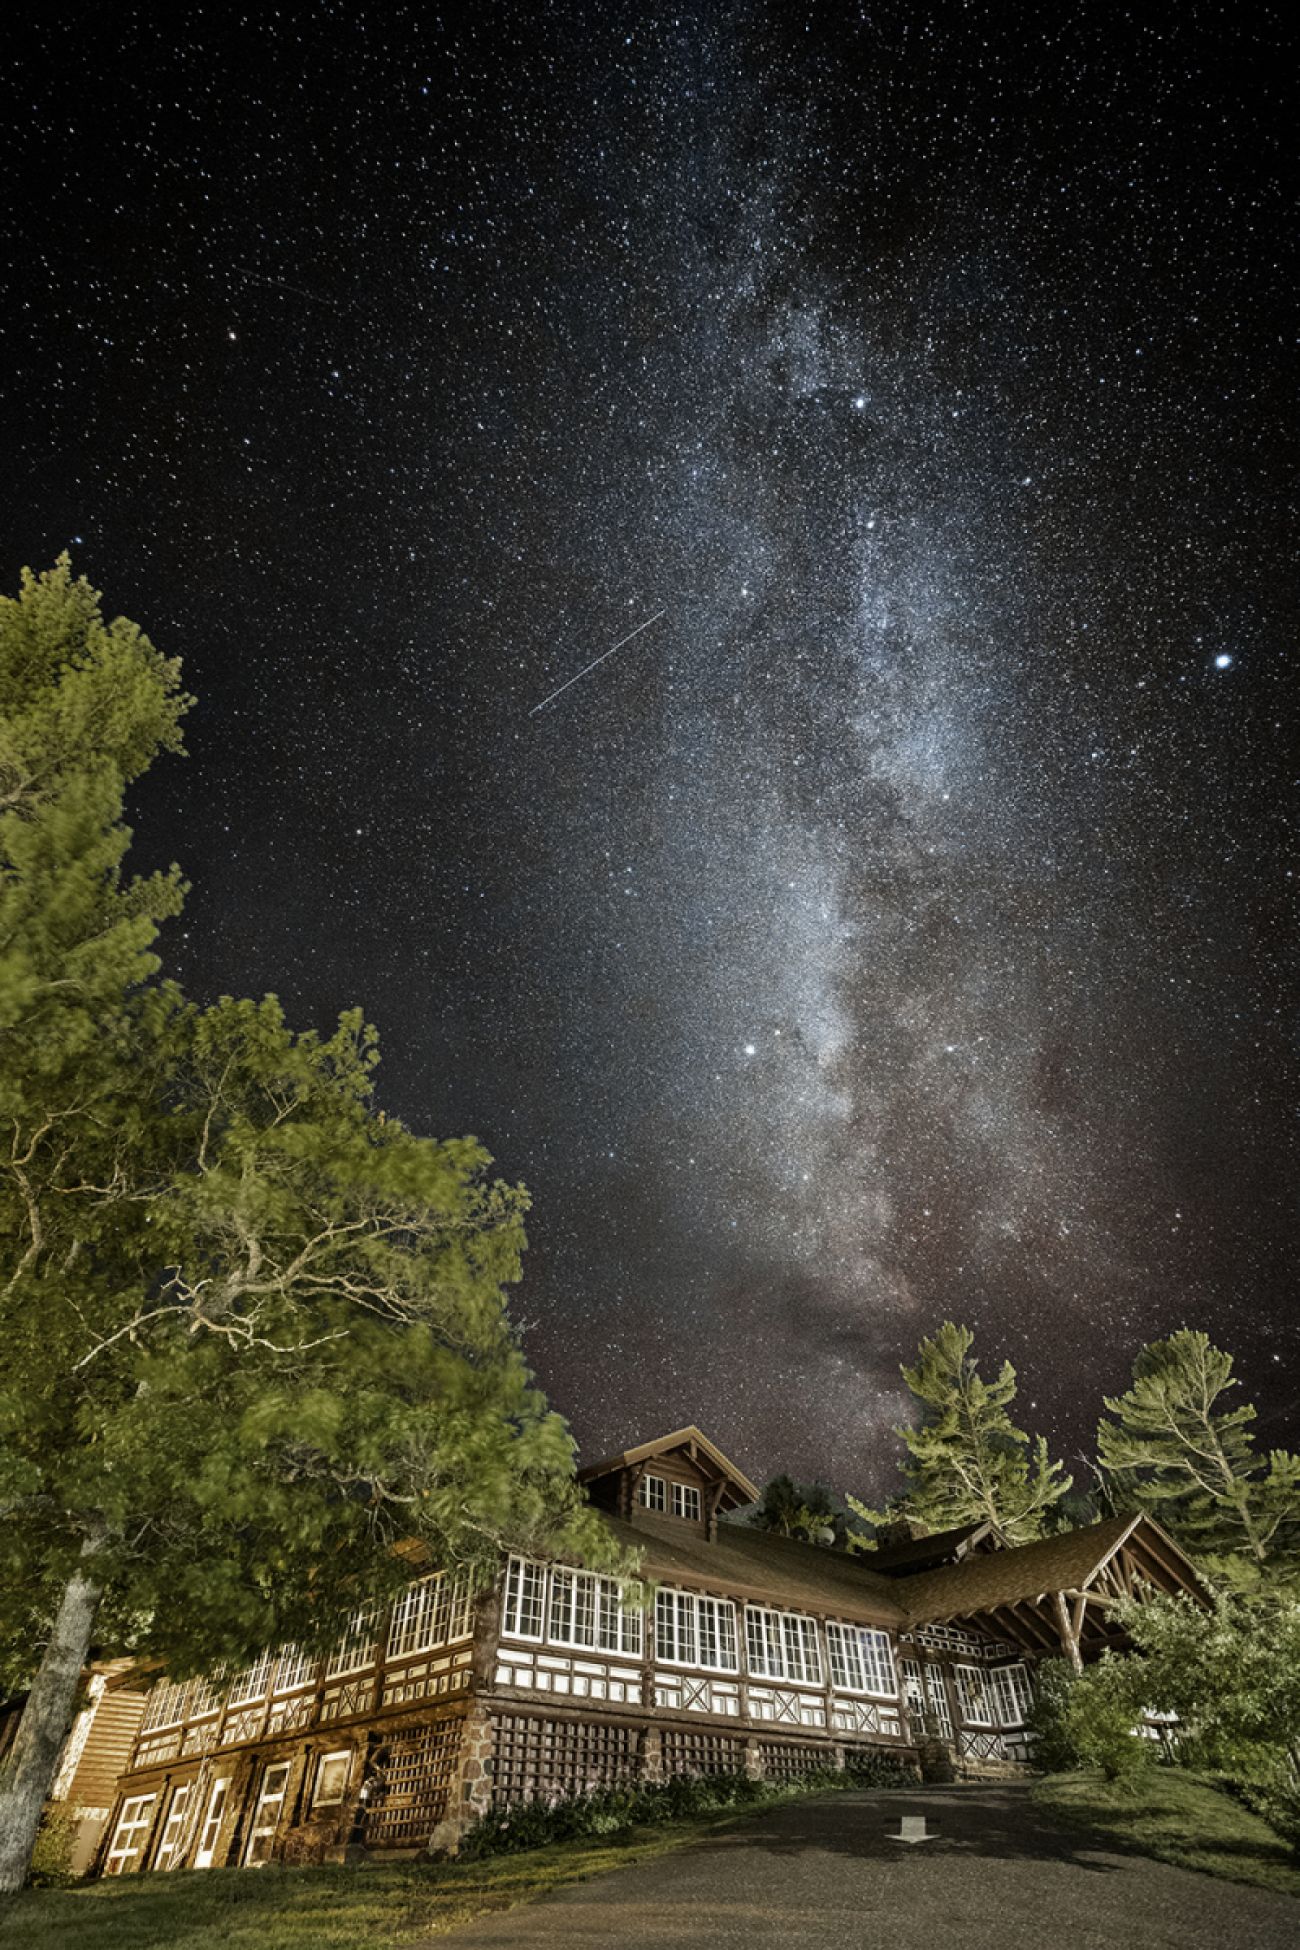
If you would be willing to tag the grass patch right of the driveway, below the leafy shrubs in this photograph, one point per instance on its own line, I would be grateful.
(1178, 1818)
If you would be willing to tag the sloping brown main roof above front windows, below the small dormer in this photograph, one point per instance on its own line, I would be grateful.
(773, 1571)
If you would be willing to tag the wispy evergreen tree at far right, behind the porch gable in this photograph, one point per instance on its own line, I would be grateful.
(1184, 1454)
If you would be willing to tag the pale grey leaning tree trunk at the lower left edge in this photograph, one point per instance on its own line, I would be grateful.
(30, 1768)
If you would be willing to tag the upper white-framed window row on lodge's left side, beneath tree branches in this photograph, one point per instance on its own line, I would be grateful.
(436, 1612)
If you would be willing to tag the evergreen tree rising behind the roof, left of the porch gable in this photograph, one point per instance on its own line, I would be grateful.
(966, 1460)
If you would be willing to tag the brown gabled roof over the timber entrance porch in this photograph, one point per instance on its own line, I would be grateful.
(1026, 1573)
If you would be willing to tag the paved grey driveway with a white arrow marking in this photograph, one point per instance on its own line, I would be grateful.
(823, 1877)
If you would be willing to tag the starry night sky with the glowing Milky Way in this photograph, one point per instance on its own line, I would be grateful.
(901, 923)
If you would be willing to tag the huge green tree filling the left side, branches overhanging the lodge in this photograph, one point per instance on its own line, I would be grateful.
(252, 1333)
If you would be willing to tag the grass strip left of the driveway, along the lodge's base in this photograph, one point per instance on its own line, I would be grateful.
(325, 1908)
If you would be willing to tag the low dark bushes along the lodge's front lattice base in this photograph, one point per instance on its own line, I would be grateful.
(679, 1799)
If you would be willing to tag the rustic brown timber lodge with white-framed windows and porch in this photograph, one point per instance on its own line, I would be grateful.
(759, 1655)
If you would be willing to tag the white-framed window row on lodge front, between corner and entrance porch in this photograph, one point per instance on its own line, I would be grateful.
(588, 1612)
